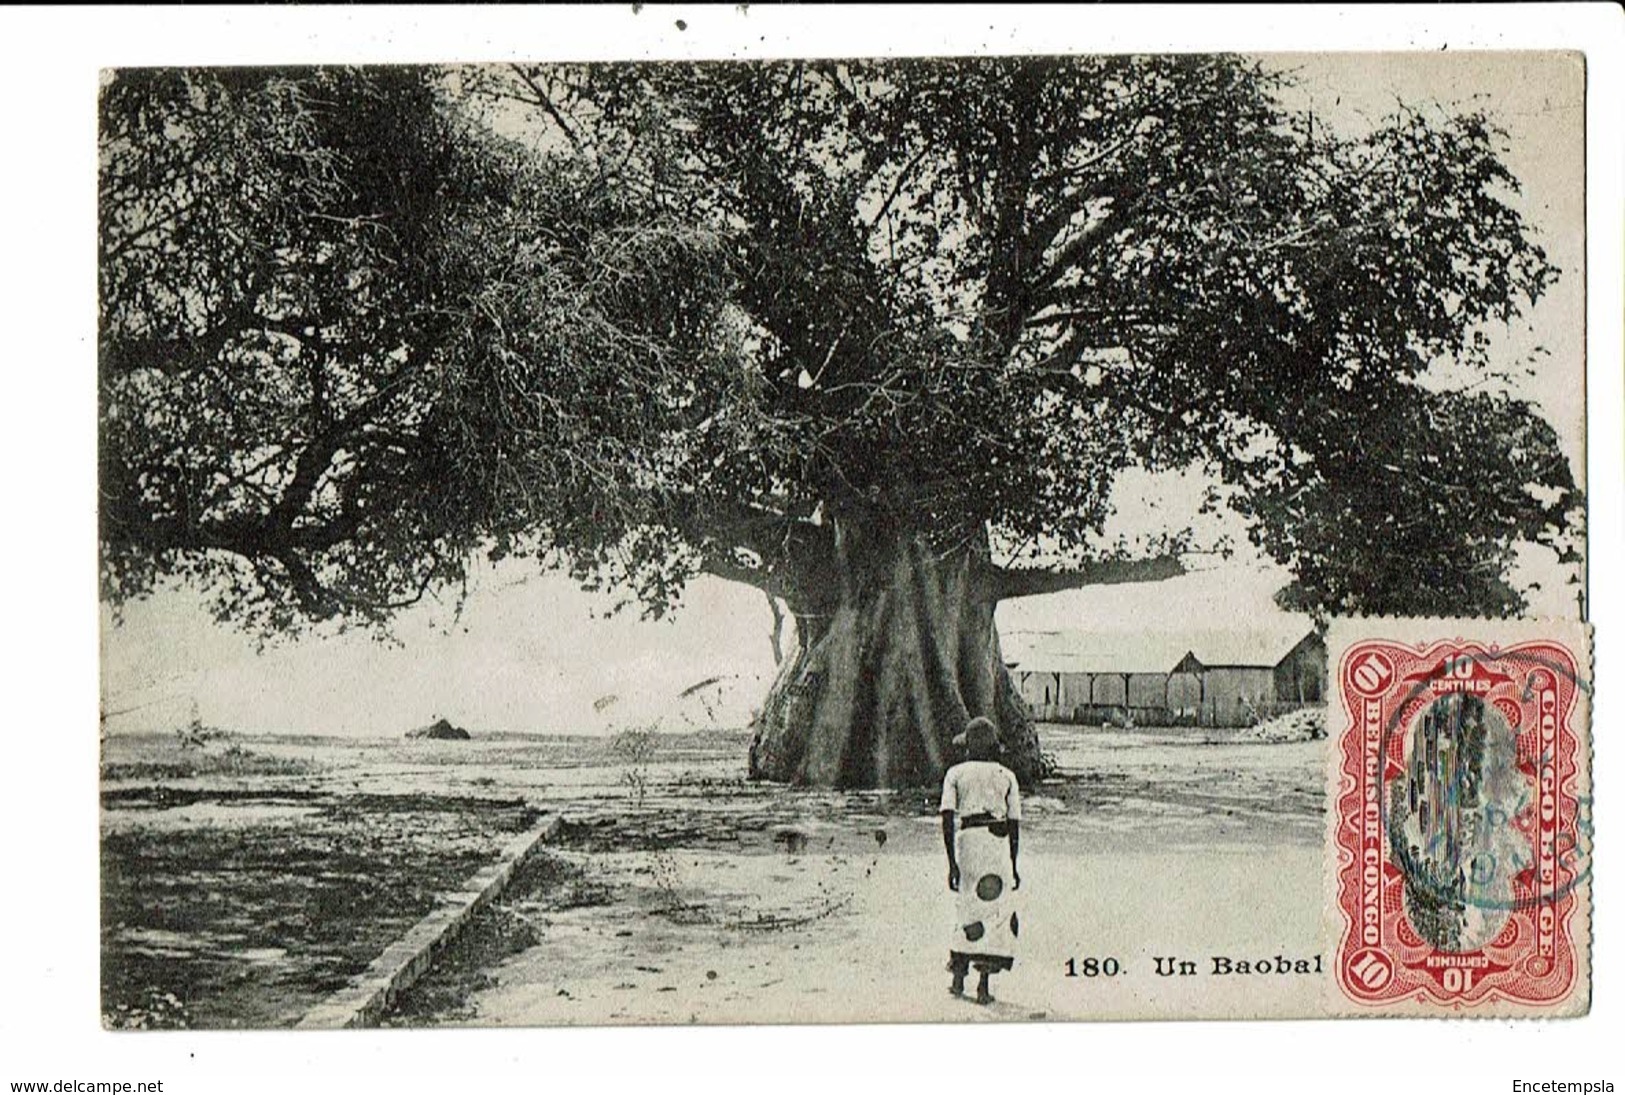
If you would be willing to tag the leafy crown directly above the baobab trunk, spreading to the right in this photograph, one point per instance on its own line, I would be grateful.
(979, 290)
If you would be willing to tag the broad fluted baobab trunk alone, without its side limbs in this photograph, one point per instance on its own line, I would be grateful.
(895, 656)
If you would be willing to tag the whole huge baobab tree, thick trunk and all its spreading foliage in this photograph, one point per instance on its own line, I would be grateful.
(877, 339)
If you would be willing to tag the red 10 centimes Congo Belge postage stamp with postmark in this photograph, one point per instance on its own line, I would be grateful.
(1462, 820)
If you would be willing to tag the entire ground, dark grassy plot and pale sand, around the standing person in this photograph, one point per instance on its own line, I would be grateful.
(687, 894)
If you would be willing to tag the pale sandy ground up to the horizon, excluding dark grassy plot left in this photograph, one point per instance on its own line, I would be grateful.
(700, 898)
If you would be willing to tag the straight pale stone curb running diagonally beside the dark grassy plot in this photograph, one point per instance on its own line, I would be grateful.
(371, 993)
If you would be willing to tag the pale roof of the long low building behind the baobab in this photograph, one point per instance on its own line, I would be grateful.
(1151, 652)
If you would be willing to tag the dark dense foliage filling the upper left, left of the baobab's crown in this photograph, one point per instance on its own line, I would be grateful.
(314, 287)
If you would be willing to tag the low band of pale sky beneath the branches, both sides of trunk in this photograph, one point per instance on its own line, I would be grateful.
(534, 654)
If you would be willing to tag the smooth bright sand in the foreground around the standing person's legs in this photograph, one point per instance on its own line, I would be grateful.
(880, 959)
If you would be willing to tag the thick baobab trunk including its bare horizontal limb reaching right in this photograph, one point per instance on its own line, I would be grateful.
(896, 647)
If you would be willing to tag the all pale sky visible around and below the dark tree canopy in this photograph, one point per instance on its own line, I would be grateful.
(532, 654)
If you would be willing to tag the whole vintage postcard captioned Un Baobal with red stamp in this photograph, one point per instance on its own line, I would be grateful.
(942, 540)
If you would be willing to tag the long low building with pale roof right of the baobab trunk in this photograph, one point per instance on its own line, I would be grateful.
(1220, 678)
